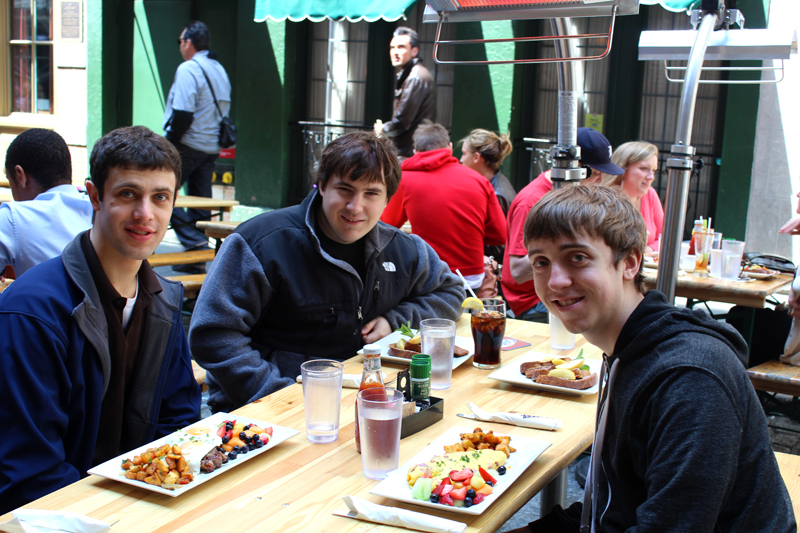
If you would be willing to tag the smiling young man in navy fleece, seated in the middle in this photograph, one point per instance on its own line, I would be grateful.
(316, 280)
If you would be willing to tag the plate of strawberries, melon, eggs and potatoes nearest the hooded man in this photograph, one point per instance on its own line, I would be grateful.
(452, 474)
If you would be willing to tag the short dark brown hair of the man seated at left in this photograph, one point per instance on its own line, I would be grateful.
(132, 148)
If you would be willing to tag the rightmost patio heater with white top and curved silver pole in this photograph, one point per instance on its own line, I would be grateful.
(713, 39)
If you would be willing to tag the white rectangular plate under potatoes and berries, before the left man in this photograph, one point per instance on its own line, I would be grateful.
(111, 468)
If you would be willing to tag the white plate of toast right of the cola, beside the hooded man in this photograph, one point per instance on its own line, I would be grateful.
(566, 375)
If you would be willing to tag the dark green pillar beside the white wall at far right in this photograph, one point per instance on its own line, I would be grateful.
(739, 137)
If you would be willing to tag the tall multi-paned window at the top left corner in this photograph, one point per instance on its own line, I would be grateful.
(31, 56)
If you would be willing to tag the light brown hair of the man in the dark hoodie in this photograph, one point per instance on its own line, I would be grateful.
(600, 212)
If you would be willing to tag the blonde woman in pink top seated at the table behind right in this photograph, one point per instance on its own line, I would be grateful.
(640, 161)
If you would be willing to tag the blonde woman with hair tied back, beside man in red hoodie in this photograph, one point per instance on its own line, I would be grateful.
(484, 151)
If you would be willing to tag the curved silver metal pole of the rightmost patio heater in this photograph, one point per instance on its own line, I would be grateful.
(680, 164)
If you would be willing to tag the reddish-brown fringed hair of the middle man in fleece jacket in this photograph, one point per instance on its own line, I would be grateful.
(360, 155)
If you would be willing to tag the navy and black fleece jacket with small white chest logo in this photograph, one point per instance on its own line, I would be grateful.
(274, 299)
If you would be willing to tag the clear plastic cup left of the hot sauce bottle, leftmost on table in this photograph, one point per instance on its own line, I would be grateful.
(322, 394)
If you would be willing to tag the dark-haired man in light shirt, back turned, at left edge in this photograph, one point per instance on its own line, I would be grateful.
(49, 211)
